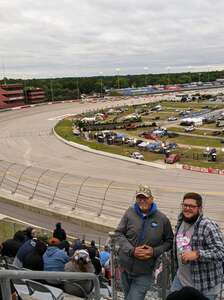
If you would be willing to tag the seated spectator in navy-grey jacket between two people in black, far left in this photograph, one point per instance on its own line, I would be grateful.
(26, 247)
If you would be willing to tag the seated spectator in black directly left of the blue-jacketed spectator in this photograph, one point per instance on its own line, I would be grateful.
(34, 259)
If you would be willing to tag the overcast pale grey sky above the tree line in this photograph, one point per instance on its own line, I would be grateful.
(52, 38)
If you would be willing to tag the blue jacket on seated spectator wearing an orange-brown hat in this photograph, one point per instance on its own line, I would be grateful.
(55, 259)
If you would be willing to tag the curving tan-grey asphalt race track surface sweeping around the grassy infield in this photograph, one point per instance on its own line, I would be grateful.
(26, 138)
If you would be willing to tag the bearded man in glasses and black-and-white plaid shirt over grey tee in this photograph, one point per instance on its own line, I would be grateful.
(199, 249)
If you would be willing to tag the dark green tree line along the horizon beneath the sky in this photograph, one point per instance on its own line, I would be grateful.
(72, 87)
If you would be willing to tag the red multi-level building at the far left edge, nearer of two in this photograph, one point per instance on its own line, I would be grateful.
(11, 95)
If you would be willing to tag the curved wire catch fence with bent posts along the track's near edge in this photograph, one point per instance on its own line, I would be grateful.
(97, 197)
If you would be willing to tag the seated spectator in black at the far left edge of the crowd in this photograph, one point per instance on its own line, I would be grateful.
(11, 246)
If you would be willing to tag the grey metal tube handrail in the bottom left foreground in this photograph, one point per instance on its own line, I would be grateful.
(7, 275)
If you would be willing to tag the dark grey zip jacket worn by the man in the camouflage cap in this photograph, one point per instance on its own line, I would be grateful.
(135, 229)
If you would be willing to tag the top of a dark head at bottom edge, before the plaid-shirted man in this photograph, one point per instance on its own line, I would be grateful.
(186, 293)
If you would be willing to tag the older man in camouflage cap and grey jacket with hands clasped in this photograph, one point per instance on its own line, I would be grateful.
(143, 234)
